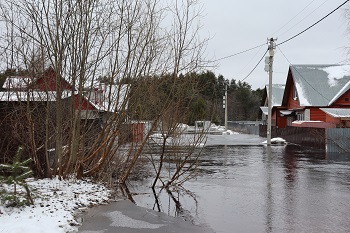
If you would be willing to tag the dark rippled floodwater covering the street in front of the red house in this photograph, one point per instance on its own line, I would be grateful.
(255, 188)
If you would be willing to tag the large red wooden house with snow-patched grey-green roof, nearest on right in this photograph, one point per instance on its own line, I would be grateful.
(315, 96)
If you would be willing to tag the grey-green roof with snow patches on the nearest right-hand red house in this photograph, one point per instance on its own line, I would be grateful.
(320, 85)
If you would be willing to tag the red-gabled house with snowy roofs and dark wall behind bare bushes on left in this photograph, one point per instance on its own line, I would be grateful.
(38, 95)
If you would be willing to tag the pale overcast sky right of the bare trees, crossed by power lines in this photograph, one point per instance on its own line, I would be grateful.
(235, 26)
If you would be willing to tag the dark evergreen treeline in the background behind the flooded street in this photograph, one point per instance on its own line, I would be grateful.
(197, 96)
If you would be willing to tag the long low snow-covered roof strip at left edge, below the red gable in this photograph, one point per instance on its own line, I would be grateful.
(15, 96)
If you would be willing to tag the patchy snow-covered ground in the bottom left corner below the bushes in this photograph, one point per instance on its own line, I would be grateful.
(56, 203)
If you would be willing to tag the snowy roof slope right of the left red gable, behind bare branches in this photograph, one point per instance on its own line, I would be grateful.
(111, 97)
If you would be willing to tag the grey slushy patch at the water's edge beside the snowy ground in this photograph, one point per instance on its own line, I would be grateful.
(124, 216)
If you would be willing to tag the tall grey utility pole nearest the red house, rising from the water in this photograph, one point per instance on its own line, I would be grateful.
(270, 63)
